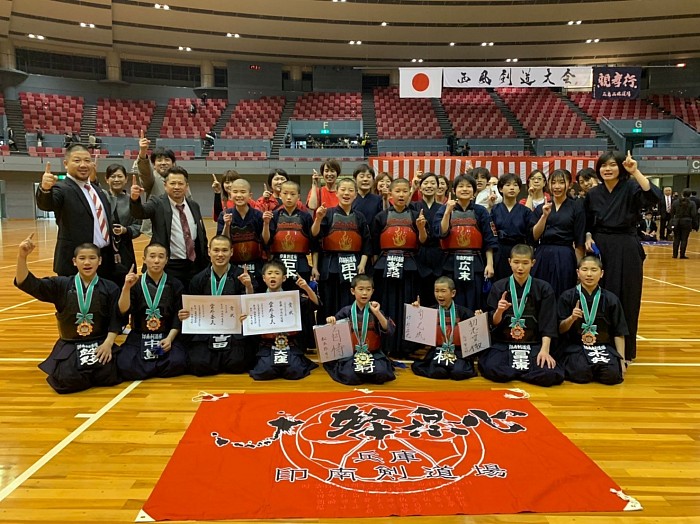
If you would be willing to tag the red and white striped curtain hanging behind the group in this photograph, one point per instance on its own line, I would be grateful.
(451, 166)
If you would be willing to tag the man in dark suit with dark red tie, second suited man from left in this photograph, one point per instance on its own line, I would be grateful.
(176, 223)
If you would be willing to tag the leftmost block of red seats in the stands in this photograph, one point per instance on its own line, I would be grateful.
(54, 114)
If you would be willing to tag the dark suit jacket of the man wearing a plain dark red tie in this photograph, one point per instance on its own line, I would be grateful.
(161, 214)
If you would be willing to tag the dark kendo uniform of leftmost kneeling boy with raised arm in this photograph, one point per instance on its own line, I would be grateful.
(67, 371)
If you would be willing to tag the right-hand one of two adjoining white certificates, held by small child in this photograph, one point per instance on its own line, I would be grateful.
(271, 313)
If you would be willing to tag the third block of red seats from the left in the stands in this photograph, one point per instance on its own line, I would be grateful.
(179, 123)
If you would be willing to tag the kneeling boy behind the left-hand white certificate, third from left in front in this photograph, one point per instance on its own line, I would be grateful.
(225, 353)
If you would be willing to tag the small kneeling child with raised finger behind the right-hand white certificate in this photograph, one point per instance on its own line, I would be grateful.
(280, 355)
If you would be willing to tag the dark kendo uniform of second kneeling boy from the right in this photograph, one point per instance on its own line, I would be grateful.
(510, 359)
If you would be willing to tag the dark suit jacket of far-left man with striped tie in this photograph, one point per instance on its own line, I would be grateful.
(75, 223)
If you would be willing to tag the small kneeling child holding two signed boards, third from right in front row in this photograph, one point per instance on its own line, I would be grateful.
(444, 360)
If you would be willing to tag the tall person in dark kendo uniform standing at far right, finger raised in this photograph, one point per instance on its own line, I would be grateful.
(612, 212)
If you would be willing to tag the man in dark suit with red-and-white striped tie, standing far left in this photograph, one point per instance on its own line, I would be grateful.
(82, 211)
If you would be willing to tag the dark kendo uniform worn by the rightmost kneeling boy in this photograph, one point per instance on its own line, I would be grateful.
(599, 362)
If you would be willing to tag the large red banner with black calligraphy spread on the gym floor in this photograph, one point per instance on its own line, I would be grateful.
(316, 455)
